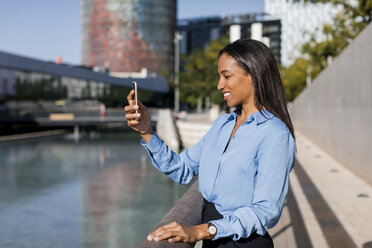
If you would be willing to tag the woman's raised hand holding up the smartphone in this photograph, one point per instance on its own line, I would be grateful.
(141, 121)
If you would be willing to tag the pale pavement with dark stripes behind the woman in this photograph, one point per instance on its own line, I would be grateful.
(327, 205)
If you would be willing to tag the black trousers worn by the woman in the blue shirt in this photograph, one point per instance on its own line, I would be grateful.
(210, 212)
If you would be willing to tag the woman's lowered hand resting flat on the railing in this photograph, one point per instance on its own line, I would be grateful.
(176, 232)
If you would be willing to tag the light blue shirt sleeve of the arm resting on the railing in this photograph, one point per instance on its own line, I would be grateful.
(274, 163)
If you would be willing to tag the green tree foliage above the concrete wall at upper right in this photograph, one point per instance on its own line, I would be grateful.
(346, 26)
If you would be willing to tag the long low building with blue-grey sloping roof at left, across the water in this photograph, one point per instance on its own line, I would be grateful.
(23, 78)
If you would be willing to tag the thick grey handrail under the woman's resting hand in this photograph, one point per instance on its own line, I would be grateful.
(186, 211)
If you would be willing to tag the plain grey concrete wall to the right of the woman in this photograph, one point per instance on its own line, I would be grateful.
(335, 112)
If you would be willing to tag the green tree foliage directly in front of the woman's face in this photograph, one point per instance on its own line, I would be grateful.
(200, 77)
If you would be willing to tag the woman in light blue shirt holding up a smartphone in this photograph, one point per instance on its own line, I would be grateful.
(243, 161)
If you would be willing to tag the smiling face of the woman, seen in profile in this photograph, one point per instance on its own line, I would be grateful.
(235, 83)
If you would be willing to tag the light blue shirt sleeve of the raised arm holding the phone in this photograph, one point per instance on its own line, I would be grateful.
(179, 167)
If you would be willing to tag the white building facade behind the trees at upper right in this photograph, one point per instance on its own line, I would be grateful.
(299, 20)
